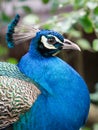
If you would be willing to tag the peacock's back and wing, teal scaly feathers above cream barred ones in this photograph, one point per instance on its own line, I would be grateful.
(17, 93)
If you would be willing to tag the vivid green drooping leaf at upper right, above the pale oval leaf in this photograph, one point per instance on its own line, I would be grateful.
(86, 23)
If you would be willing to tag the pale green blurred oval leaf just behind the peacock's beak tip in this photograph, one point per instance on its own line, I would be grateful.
(84, 44)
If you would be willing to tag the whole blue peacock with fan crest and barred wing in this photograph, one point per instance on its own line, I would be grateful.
(41, 92)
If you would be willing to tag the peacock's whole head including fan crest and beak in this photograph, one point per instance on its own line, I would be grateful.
(46, 42)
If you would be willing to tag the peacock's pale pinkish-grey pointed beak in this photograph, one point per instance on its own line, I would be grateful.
(67, 44)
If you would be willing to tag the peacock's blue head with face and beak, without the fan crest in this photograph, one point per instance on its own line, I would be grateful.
(50, 43)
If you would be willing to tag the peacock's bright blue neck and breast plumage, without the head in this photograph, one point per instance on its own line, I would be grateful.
(64, 102)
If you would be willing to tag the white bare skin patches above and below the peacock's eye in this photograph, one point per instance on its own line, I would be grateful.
(46, 44)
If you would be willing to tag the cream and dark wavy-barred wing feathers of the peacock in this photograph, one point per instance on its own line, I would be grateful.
(16, 97)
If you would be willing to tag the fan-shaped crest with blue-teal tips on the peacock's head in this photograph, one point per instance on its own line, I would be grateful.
(18, 33)
